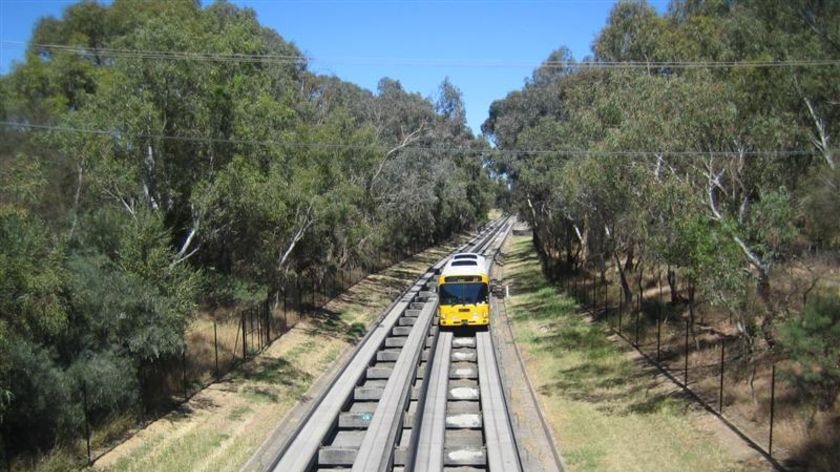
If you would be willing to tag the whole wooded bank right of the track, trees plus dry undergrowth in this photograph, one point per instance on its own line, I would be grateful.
(666, 163)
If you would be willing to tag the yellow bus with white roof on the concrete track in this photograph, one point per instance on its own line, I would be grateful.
(463, 291)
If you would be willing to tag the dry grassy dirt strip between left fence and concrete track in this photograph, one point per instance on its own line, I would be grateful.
(221, 426)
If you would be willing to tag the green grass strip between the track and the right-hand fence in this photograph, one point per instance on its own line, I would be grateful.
(608, 411)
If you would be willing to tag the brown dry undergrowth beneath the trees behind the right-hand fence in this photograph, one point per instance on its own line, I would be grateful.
(804, 438)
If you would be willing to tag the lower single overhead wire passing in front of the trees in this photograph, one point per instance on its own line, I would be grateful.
(449, 150)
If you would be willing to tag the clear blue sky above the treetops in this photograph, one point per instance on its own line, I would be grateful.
(418, 42)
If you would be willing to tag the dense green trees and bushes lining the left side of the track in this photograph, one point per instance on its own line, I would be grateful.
(192, 182)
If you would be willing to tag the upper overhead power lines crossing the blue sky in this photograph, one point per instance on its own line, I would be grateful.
(198, 56)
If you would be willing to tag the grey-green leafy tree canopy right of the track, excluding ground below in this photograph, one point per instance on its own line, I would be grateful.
(699, 140)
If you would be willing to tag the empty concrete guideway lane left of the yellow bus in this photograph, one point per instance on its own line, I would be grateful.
(364, 419)
